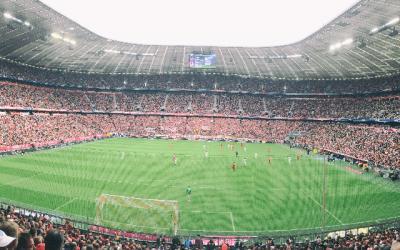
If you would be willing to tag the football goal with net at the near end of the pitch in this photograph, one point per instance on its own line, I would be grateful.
(137, 213)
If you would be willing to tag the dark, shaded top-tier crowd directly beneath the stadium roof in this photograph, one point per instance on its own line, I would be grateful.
(193, 81)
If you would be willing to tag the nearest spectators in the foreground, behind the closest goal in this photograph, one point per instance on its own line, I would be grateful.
(39, 232)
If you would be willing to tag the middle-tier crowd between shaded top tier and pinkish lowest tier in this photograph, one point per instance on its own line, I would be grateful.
(31, 97)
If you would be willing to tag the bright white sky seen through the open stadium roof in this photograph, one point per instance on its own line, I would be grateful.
(205, 22)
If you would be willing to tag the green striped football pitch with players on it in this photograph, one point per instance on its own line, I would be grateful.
(257, 198)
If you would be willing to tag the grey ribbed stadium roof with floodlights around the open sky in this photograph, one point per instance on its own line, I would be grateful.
(363, 42)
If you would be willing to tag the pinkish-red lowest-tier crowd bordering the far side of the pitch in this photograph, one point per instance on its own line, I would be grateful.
(373, 143)
